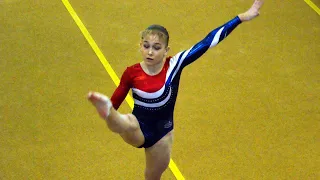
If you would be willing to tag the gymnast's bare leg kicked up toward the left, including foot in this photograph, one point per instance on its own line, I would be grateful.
(126, 125)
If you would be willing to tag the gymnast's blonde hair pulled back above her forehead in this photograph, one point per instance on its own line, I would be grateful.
(158, 30)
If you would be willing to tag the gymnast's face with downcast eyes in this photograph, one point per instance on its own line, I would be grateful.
(153, 49)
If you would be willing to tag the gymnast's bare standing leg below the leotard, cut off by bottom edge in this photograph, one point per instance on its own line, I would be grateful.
(158, 157)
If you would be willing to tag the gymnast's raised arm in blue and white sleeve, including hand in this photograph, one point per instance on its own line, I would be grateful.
(217, 35)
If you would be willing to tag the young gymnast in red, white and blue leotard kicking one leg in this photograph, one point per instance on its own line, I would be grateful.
(154, 83)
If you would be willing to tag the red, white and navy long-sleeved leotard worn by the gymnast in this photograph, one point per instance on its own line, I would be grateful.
(155, 96)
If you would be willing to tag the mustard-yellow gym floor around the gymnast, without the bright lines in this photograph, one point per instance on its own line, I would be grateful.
(247, 109)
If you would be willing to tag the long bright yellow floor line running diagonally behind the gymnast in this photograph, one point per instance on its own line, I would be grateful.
(110, 71)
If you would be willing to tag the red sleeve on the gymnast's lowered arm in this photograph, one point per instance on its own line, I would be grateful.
(122, 90)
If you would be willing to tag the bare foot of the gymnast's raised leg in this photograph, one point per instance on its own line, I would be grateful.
(101, 102)
